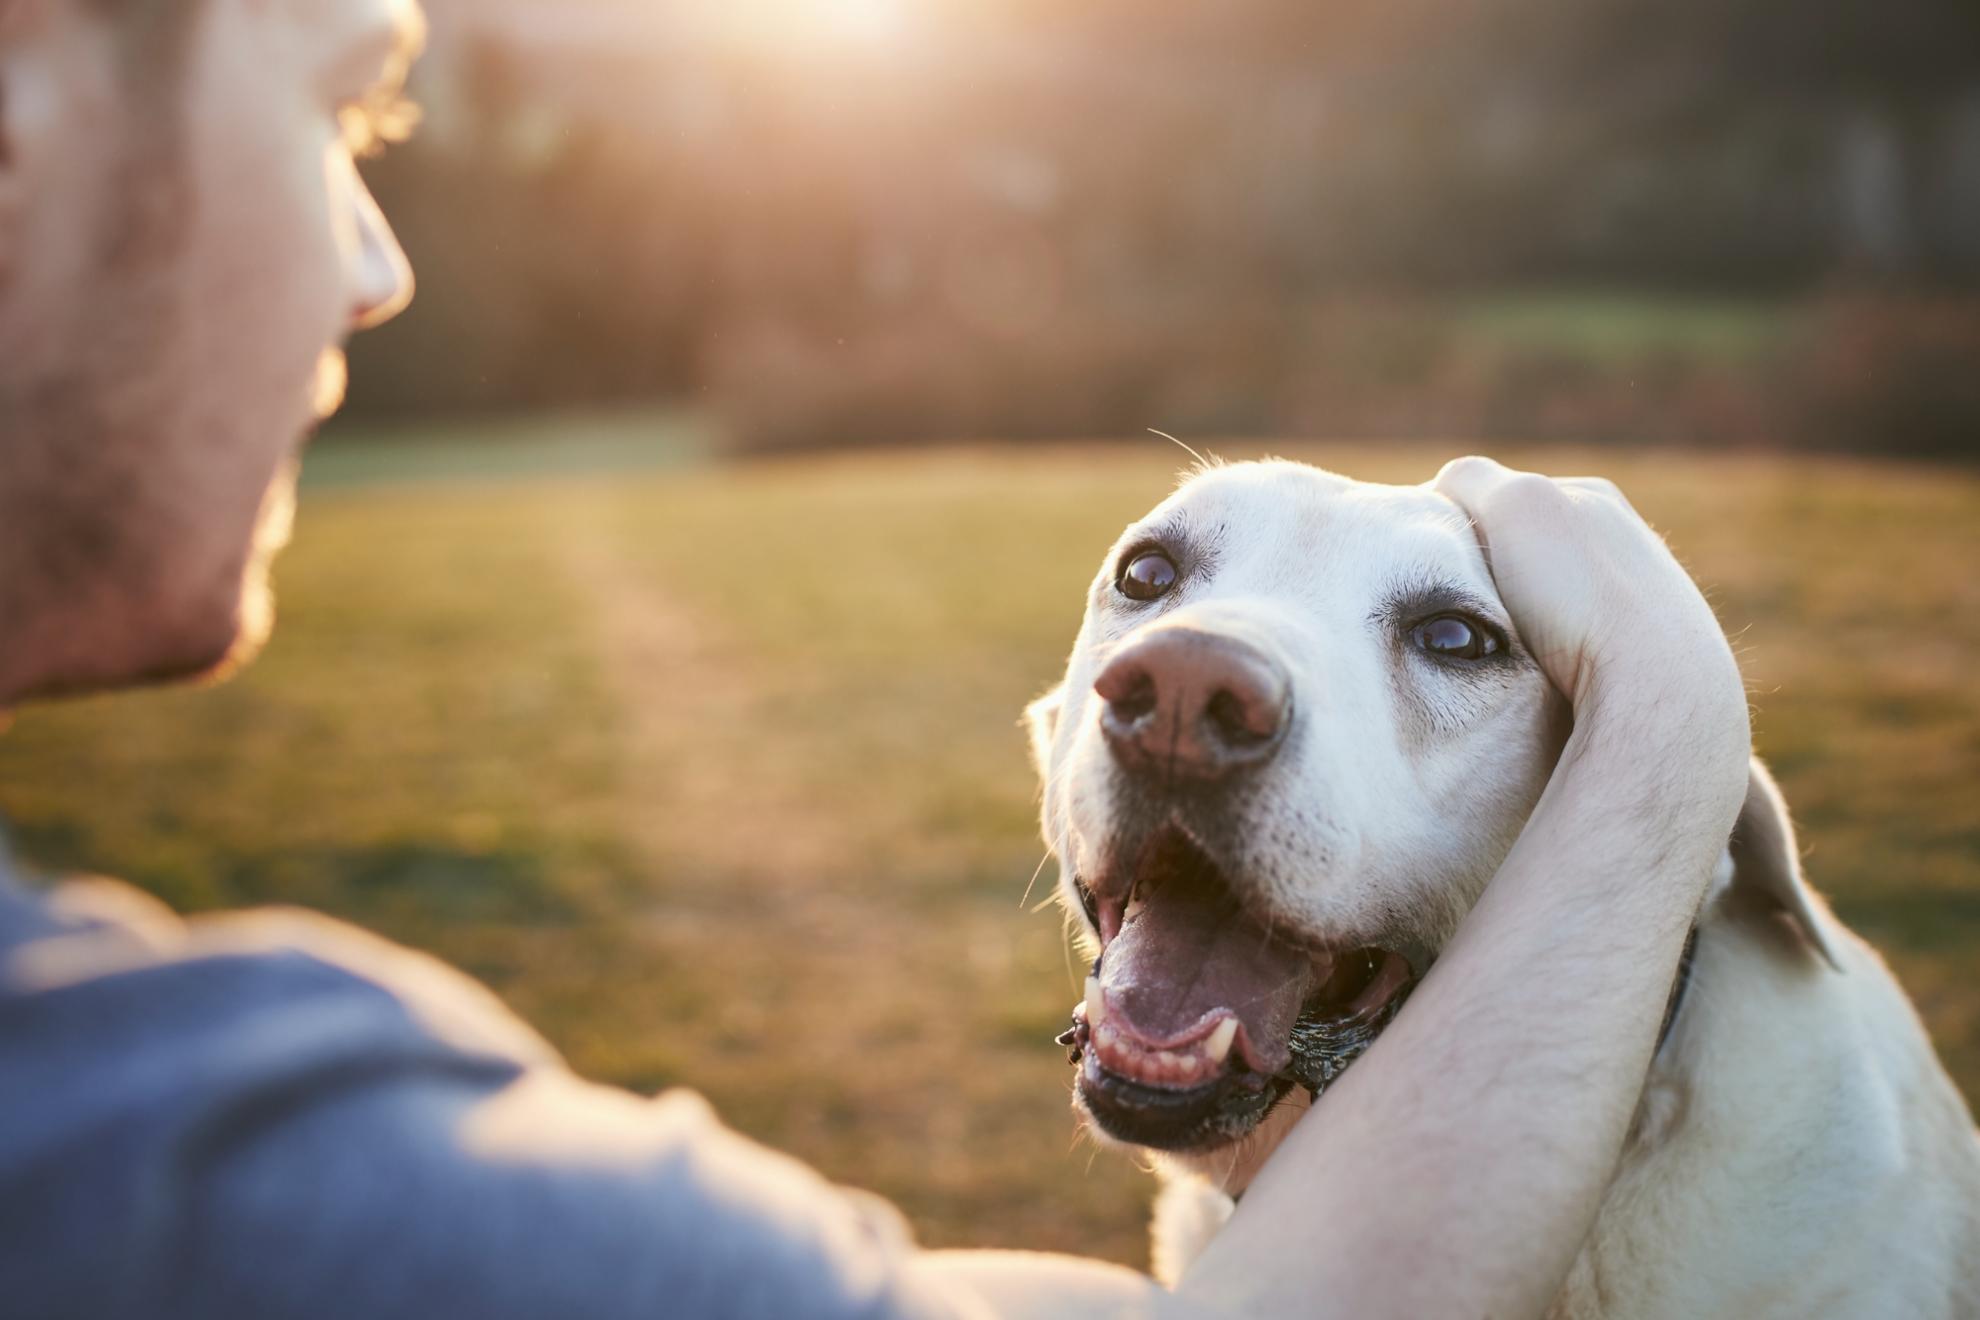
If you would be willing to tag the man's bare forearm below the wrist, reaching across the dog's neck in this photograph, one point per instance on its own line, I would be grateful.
(1456, 1169)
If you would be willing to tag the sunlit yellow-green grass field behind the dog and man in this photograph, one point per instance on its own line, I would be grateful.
(716, 773)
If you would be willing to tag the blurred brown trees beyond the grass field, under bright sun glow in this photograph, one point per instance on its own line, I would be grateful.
(1033, 219)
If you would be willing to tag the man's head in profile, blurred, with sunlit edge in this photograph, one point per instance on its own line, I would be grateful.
(185, 244)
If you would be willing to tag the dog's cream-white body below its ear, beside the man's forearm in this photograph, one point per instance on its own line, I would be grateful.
(1799, 1149)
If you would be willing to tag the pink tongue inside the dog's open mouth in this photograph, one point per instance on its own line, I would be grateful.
(1191, 951)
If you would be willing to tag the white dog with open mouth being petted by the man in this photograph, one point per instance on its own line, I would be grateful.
(1296, 739)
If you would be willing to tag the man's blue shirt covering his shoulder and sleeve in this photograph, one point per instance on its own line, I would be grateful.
(274, 1115)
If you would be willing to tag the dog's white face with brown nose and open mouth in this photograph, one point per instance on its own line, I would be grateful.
(1296, 739)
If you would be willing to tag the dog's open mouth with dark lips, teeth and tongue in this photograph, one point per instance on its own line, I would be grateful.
(1199, 1020)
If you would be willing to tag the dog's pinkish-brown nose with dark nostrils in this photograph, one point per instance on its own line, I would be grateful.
(1193, 706)
